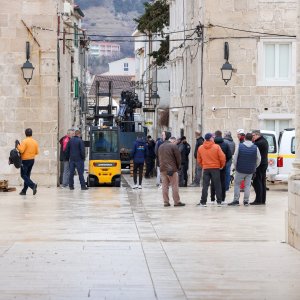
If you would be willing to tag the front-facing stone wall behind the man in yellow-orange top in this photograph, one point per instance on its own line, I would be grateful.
(34, 105)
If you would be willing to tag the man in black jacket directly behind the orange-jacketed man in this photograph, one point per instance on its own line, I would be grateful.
(228, 154)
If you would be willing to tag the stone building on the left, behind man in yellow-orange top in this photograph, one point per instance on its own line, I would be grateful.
(47, 103)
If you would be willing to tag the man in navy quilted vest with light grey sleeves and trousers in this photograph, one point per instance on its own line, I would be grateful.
(246, 159)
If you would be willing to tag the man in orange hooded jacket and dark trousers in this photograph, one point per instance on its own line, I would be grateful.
(211, 157)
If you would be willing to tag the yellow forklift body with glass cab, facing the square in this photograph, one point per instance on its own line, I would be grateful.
(104, 163)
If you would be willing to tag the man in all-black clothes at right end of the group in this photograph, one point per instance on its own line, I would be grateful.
(259, 181)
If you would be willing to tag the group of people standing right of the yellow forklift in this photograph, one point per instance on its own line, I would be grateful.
(216, 156)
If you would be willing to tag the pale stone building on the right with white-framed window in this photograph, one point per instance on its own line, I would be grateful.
(260, 37)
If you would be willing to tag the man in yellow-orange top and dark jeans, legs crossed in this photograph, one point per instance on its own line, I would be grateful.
(28, 148)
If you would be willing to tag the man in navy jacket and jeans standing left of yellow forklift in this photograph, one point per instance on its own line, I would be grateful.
(76, 155)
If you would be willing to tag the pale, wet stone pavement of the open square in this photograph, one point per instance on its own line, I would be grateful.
(119, 243)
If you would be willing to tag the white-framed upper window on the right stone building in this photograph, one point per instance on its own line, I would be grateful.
(276, 62)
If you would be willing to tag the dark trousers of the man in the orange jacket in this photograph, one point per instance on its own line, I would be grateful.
(214, 176)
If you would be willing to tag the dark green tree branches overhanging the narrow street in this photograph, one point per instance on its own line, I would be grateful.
(154, 20)
